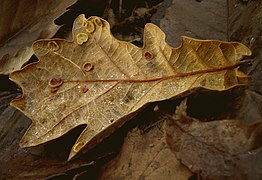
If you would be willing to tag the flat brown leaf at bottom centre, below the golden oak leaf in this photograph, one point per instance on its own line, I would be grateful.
(145, 156)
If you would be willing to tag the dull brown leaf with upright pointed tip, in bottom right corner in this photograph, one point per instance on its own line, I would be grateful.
(223, 149)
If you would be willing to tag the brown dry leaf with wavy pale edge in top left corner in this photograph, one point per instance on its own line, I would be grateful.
(21, 23)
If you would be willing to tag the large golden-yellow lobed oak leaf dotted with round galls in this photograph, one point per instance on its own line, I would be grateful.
(101, 82)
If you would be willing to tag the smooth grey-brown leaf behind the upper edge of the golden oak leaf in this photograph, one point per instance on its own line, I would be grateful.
(198, 19)
